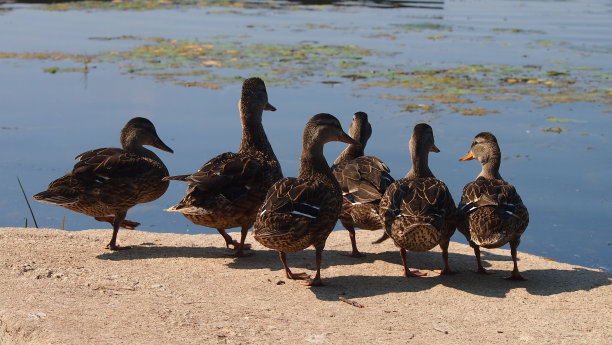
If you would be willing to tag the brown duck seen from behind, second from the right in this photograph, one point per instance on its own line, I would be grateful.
(418, 210)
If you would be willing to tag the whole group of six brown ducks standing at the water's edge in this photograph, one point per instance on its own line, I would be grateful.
(247, 189)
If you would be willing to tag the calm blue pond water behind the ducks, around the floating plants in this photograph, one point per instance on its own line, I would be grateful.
(563, 178)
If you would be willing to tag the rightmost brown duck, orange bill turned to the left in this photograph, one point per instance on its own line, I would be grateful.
(493, 212)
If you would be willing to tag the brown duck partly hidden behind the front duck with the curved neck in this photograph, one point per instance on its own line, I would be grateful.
(363, 180)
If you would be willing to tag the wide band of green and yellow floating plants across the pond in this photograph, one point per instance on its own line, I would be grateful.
(224, 59)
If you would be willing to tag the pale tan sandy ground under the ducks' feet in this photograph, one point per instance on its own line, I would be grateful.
(62, 287)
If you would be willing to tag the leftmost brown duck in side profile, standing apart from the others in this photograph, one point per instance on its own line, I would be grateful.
(106, 182)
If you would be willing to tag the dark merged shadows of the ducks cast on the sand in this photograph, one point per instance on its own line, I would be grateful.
(541, 282)
